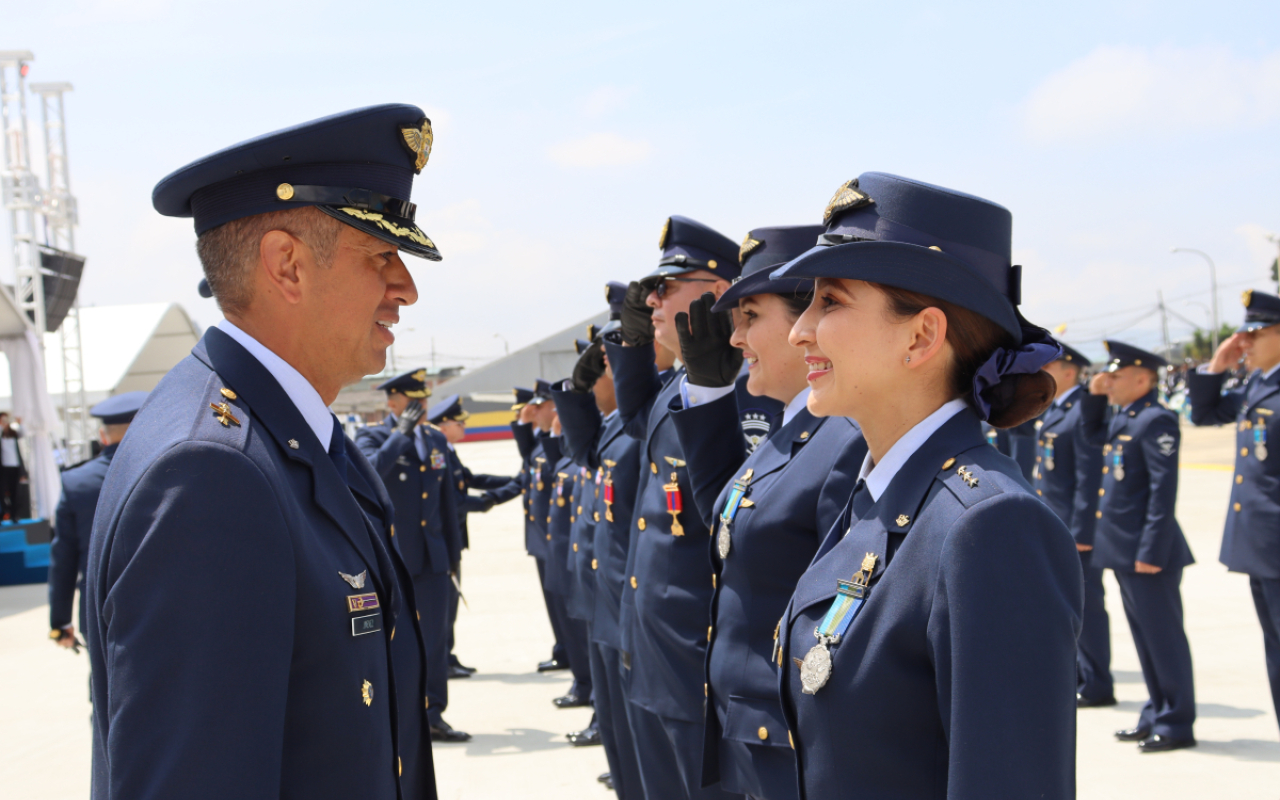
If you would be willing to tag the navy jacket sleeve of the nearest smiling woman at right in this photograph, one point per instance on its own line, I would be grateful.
(1003, 643)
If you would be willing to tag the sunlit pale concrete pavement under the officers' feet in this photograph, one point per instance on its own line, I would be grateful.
(519, 748)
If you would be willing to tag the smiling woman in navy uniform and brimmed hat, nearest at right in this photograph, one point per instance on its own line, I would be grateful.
(930, 650)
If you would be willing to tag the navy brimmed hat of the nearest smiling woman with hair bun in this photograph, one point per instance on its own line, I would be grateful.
(924, 239)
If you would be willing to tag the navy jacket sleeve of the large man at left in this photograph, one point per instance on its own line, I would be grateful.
(177, 620)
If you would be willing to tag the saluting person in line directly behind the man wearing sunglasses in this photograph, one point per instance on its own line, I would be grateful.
(593, 435)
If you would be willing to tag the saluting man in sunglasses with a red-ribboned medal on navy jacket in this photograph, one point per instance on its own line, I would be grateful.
(669, 587)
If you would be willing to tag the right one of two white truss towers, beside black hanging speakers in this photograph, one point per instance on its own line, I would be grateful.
(58, 208)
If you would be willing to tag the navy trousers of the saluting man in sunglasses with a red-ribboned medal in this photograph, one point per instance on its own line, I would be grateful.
(671, 758)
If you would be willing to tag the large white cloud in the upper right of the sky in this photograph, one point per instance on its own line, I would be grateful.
(1121, 92)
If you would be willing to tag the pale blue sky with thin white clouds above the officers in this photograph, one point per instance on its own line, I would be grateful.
(568, 132)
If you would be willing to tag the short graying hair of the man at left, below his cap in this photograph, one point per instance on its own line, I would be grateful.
(230, 252)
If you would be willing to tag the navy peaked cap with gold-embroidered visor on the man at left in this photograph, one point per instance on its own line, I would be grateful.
(356, 167)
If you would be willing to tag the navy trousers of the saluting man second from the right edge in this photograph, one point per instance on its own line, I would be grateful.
(1154, 605)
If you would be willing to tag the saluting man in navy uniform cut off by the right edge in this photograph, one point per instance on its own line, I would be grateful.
(1251, 542)
